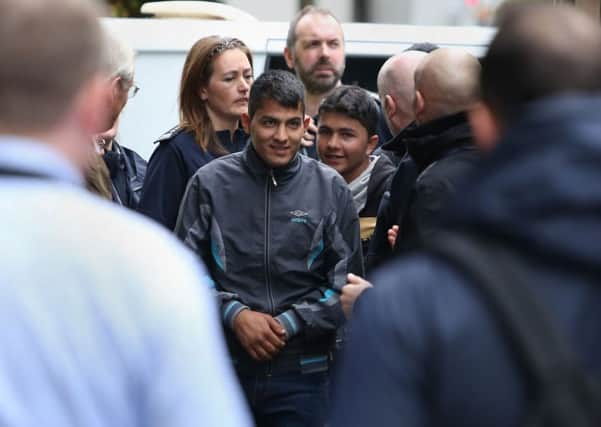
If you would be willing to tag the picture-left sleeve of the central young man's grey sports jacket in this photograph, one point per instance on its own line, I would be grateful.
(194, 228)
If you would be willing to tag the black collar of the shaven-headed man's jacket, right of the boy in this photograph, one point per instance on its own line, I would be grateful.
(433, 140)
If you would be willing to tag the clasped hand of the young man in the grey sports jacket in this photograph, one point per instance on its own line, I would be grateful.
(260, 334)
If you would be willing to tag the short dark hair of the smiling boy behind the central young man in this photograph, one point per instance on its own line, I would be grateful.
(353, 102)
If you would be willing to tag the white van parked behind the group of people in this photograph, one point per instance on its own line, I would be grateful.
(162, 44)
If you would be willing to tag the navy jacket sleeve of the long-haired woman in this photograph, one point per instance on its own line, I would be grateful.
(164, 186)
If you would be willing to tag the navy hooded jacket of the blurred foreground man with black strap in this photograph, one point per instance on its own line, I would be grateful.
(436, 355)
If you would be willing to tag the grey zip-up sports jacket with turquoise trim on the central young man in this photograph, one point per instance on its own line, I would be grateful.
(277, 241)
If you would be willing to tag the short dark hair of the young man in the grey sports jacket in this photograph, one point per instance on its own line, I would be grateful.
(280, 86)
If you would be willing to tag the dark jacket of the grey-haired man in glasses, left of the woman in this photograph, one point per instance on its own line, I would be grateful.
(127, 170)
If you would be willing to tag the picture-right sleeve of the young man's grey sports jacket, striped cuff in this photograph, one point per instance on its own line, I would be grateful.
(342, 255)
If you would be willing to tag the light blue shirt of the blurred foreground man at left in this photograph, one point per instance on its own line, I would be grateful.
(104, 317)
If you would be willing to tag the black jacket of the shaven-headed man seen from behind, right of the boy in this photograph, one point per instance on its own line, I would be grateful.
(440, 153)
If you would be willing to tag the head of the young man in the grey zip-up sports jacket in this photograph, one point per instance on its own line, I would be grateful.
(276, 117)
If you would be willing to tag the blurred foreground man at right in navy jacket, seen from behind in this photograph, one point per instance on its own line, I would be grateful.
(425, 348)
